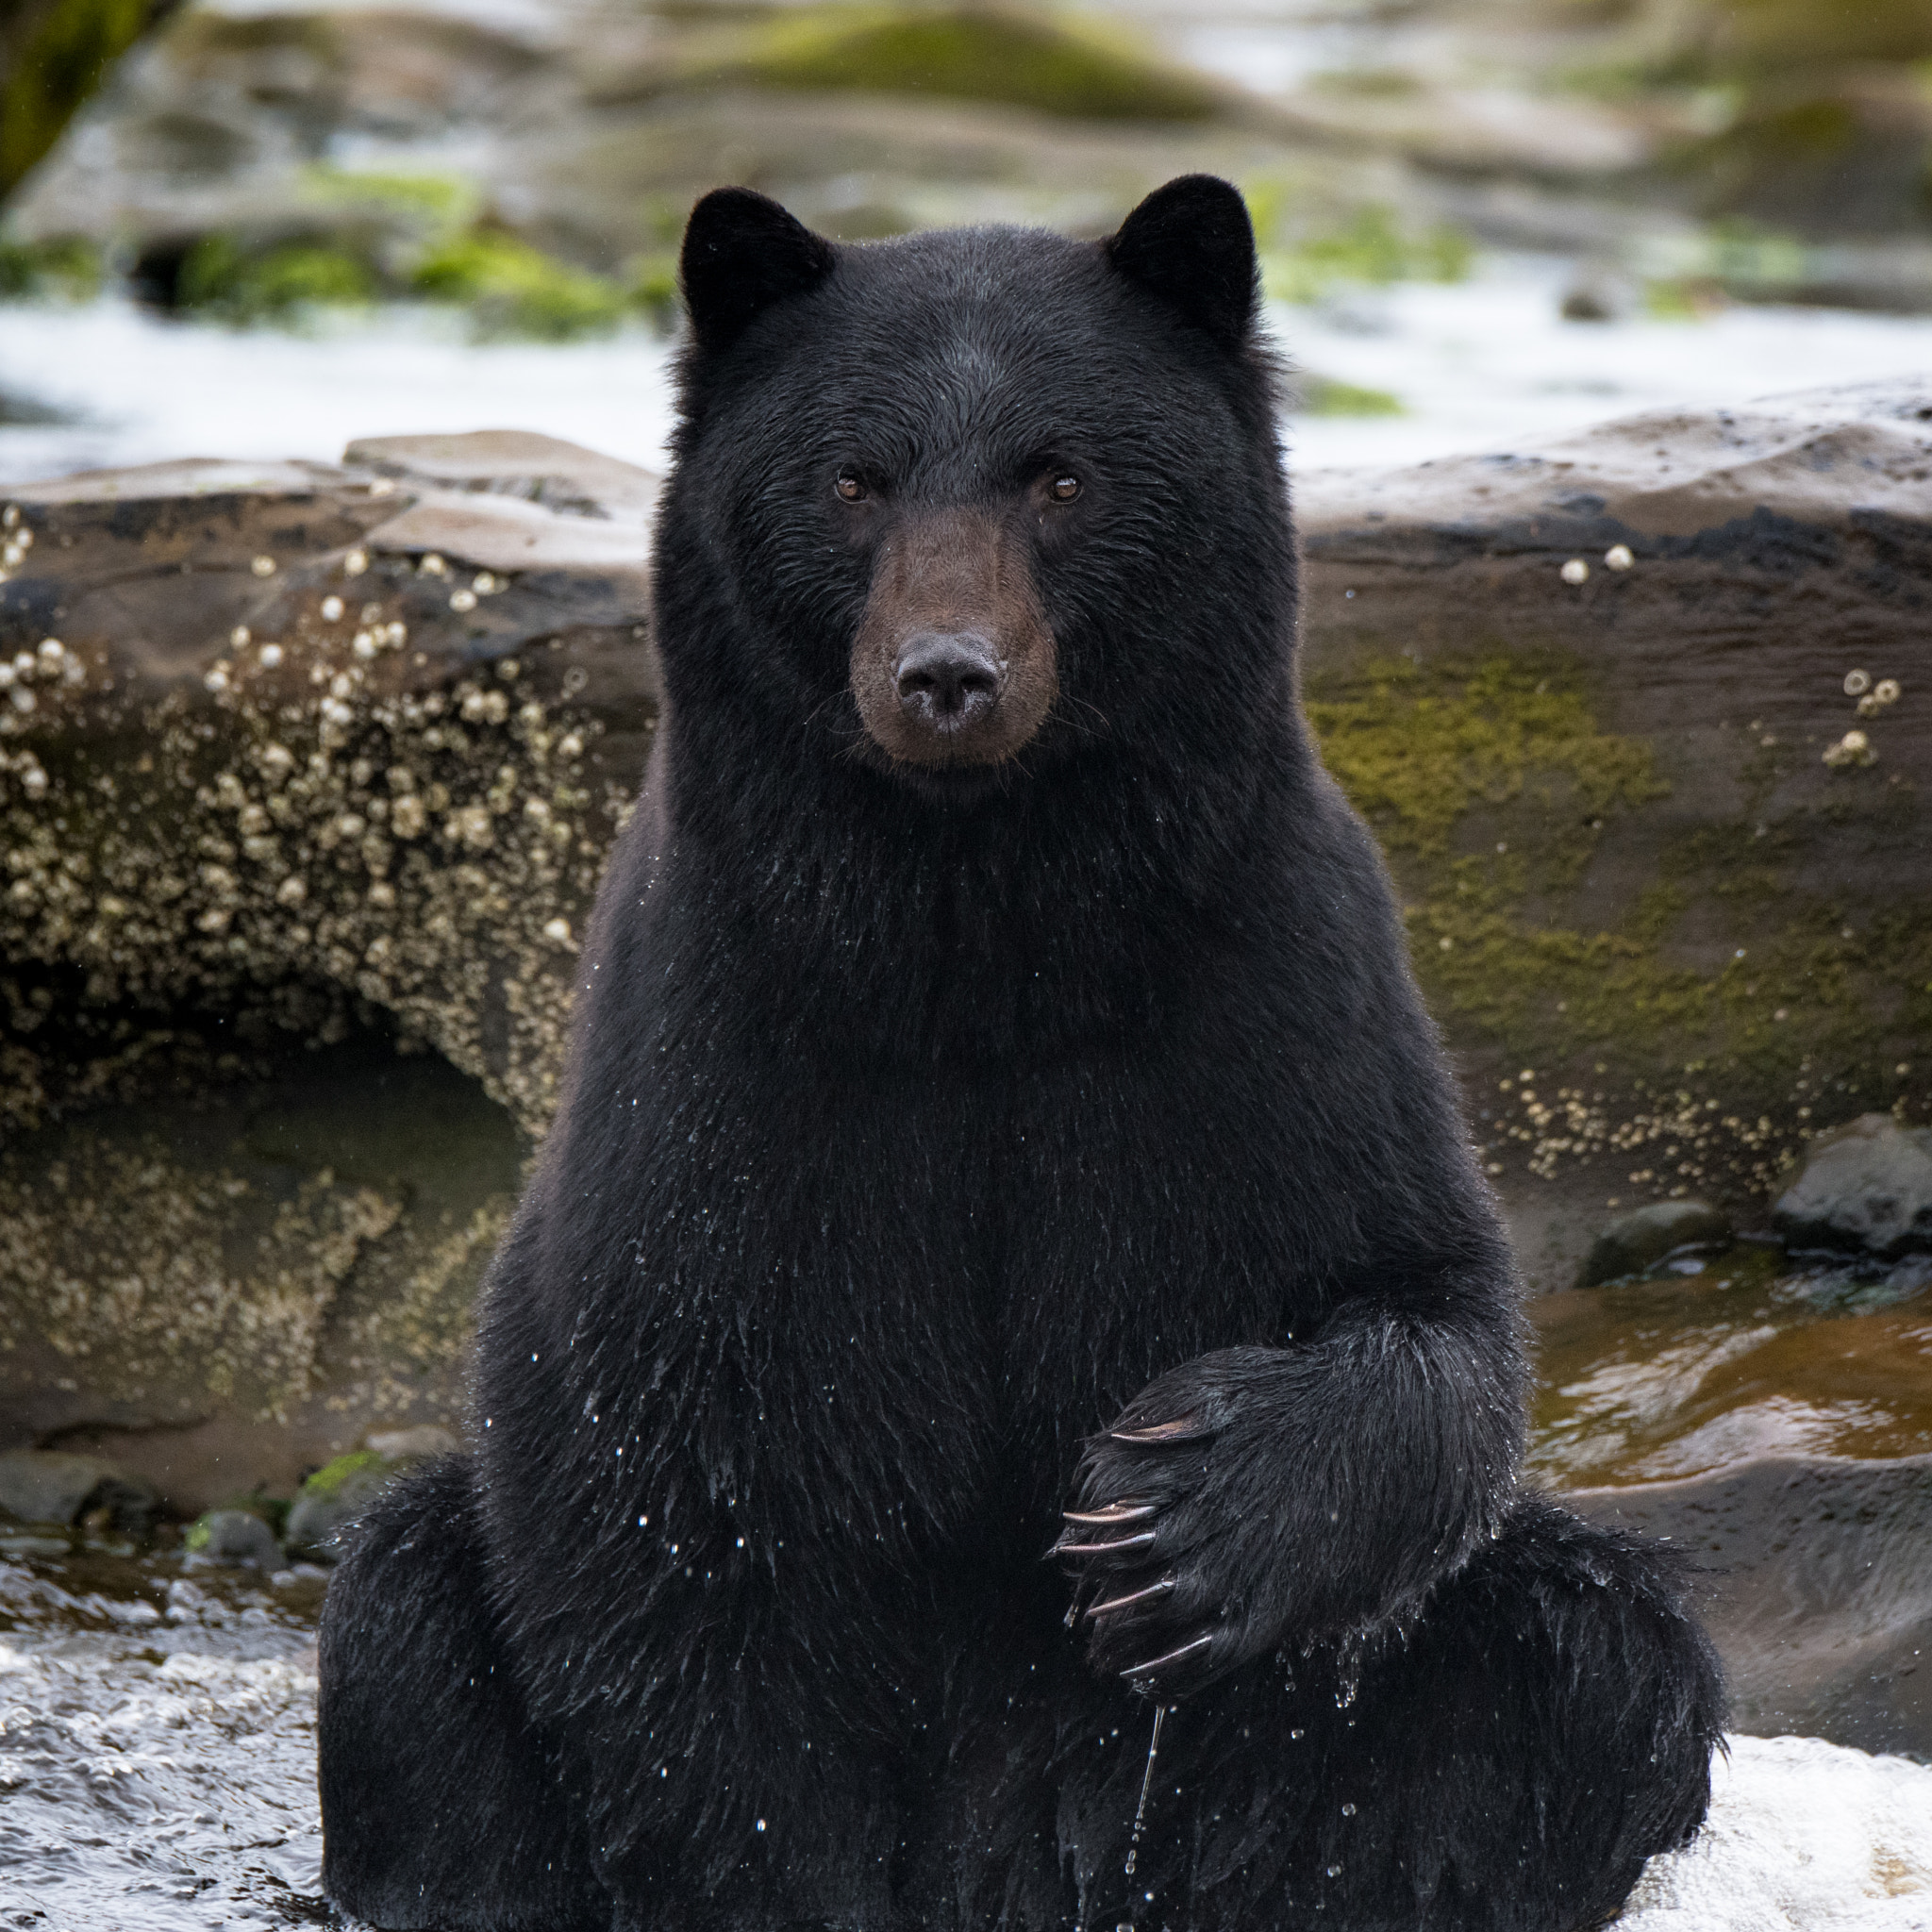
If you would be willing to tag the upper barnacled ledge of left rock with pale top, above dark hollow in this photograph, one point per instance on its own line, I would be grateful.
(324, 743)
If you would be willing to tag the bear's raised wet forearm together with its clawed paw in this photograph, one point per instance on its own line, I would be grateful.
(1280, 1496)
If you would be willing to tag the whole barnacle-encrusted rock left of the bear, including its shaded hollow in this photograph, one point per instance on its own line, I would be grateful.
(306, 781)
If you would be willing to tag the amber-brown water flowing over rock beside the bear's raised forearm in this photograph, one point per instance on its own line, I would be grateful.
(1730, 1359)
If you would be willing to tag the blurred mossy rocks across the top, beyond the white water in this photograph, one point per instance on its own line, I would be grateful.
(532, 167)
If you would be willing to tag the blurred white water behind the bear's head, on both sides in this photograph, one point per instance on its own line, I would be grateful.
(1477, 366)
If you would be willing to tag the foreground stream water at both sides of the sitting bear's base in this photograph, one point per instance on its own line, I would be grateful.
(157, 1775)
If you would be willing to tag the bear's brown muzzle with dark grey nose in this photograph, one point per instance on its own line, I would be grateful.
(953, 664)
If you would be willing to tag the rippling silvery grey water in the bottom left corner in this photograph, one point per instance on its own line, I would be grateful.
(157, 1747)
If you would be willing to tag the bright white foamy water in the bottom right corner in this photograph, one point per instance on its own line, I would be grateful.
(1804, 1836)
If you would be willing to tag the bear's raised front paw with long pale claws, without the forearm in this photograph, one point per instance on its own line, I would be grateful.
(1174, 1531)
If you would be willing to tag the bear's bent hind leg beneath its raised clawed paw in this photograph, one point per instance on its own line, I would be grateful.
(1508, 1767)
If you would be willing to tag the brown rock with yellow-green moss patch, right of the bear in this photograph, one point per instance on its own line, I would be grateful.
(1668, 921)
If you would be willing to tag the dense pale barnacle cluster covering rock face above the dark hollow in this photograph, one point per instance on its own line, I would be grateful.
(326, 836)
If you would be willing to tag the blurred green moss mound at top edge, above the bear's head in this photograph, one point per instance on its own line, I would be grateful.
(973, 55)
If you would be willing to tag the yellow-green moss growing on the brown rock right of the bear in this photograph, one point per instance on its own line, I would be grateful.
(1492, 789)
